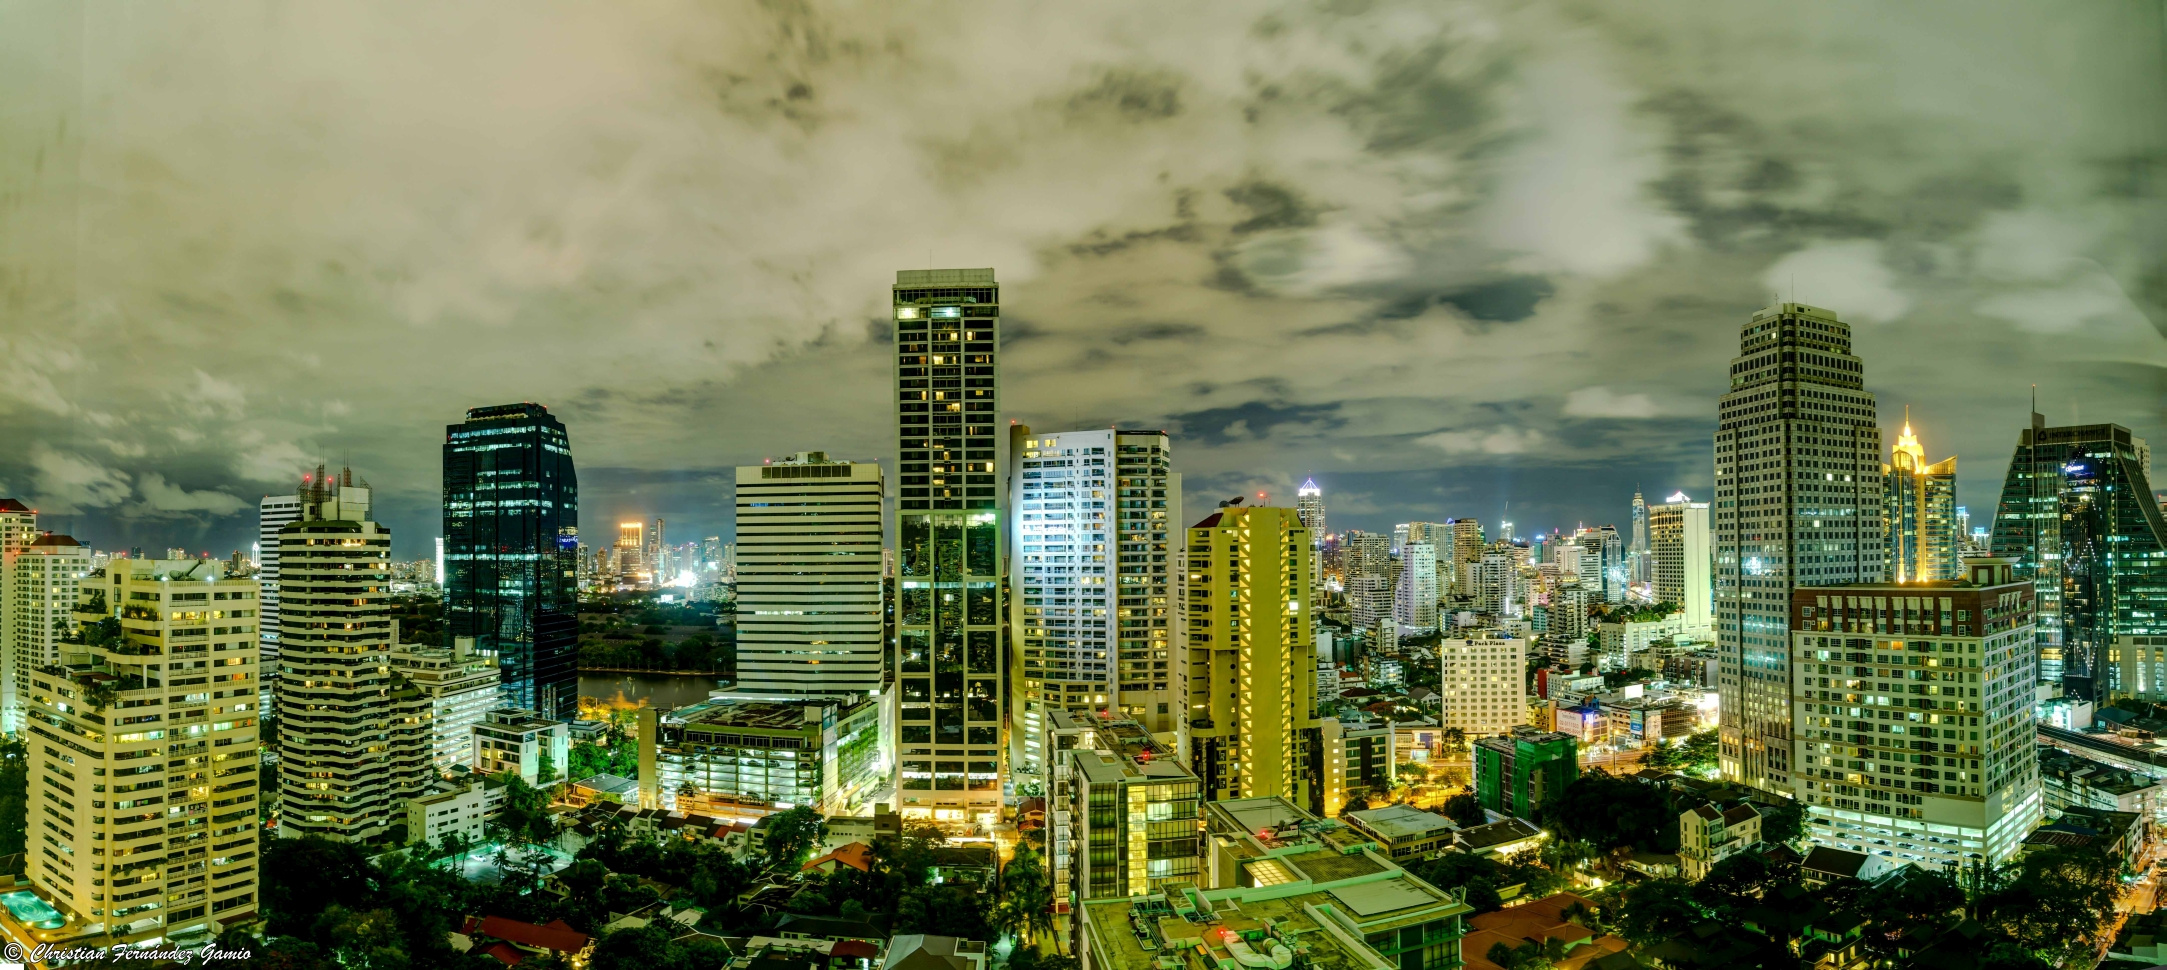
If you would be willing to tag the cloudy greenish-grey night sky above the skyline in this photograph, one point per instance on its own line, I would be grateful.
(1442, 257)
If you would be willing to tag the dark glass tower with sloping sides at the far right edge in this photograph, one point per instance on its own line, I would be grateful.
(2084, 525)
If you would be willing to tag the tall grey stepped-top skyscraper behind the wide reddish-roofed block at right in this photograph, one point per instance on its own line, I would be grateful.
(1798, 501)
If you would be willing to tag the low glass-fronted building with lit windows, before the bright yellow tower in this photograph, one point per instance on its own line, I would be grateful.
(1132, 813)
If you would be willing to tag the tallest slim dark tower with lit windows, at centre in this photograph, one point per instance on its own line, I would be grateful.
(948, 514)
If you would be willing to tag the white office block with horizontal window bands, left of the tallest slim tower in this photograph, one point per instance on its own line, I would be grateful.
(809, 586)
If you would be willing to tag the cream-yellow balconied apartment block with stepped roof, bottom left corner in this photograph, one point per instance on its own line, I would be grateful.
(148, 830)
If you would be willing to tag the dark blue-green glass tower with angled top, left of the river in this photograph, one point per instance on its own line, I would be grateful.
(512, 549)
